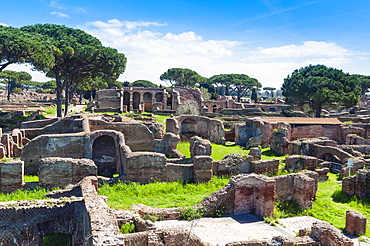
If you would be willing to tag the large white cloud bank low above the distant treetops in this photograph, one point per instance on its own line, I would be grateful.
(151, 53)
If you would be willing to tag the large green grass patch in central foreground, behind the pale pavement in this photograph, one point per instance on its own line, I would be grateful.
(159, 194)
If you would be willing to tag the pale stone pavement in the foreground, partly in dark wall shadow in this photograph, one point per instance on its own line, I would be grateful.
(220, 231)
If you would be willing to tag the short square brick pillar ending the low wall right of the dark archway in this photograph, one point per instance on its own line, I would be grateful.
(202, 168)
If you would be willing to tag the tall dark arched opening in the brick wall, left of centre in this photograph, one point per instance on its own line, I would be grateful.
(104, 154)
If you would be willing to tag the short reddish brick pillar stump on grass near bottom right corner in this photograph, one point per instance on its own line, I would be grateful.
(355, 223)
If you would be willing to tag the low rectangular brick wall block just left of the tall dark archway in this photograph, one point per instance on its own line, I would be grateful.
(59, 172)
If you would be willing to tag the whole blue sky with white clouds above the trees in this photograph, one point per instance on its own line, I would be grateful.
(265, 39)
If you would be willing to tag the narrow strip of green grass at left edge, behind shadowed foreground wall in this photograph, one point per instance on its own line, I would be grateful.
(24, 195)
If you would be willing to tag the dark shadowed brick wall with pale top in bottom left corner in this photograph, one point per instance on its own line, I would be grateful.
(27, 222)
